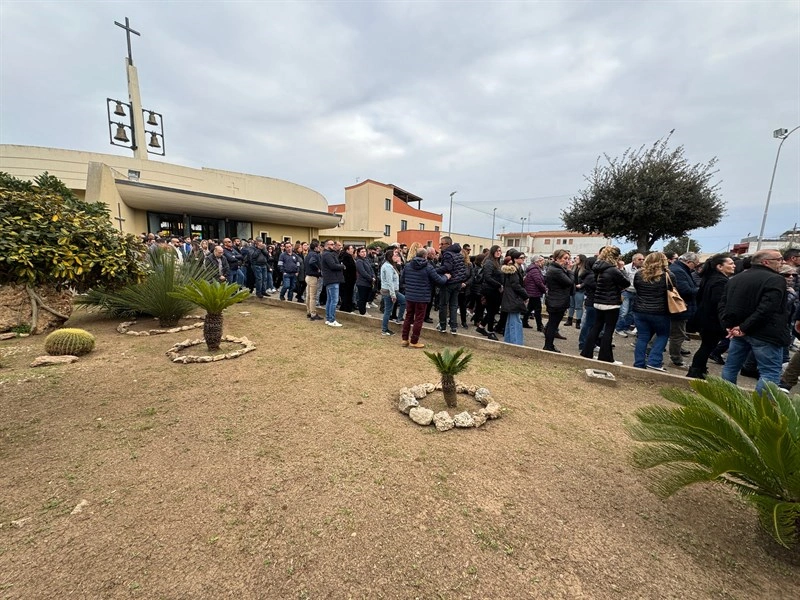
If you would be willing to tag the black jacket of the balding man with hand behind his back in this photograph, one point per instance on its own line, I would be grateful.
(755, 301)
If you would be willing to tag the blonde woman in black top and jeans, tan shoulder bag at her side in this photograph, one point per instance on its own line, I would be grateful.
(650, 312)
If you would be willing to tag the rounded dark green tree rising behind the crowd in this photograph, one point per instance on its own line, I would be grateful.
(646, 195)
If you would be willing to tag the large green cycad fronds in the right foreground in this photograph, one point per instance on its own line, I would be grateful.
(719, 432)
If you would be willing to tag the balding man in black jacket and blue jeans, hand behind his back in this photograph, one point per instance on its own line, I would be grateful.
(753, 311)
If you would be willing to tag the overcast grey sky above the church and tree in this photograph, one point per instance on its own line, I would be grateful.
(509, 103)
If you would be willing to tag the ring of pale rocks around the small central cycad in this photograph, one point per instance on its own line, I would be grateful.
(409, 405)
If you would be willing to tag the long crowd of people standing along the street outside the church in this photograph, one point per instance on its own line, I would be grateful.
(746, 308)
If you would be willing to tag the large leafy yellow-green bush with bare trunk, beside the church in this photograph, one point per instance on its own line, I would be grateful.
(52, 240)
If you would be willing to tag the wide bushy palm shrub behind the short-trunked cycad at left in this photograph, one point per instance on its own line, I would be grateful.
(152, 295)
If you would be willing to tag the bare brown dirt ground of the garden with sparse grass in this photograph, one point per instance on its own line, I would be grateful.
(289, 473)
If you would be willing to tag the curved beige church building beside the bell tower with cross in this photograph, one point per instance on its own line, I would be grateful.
(152, 196)
